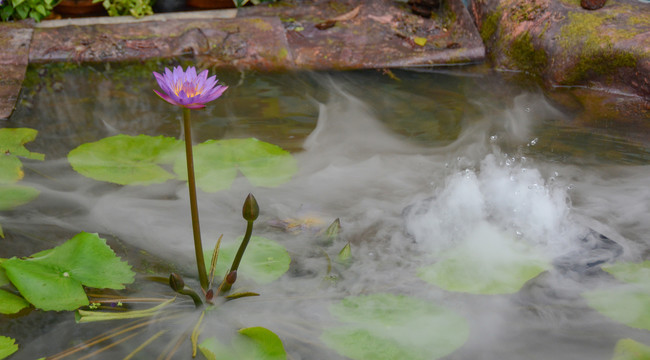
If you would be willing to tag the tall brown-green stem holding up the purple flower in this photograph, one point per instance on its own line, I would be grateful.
(194, 209)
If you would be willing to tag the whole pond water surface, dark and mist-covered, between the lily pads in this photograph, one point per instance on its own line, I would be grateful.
(415, 164)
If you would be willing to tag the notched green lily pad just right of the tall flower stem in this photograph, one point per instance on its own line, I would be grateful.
(216, 163)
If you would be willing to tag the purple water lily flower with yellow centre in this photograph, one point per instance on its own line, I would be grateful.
(187, 89)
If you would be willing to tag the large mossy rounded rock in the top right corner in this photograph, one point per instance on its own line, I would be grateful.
(566, 45)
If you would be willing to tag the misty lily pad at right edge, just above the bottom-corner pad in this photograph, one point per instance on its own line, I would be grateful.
(627, 304)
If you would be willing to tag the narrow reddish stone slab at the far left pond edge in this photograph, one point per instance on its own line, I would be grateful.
(14, 57)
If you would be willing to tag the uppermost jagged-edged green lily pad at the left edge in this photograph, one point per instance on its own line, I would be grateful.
(12, 141)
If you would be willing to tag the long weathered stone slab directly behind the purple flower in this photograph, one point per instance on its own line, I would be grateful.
(247, 43)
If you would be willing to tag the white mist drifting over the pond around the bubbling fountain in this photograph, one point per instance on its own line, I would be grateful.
(400, 203)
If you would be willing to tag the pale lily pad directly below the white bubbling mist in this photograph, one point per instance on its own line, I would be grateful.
(487, 262)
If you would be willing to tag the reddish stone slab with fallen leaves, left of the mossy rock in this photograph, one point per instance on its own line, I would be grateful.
(375, 34)
